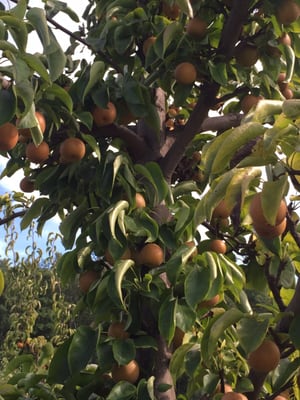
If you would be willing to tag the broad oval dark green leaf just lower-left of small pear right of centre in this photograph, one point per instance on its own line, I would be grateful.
(197, 285)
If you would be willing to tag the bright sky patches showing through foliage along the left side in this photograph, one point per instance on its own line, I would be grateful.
(8, 185)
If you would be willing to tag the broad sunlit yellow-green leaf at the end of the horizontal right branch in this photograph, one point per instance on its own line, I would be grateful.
(232, 143)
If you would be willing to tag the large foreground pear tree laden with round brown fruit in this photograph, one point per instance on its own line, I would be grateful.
(178, 221)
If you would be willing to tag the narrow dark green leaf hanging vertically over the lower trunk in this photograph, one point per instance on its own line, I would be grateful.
(167, 318)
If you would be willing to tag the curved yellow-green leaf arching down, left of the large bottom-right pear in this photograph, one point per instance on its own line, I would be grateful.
(216, 329)
